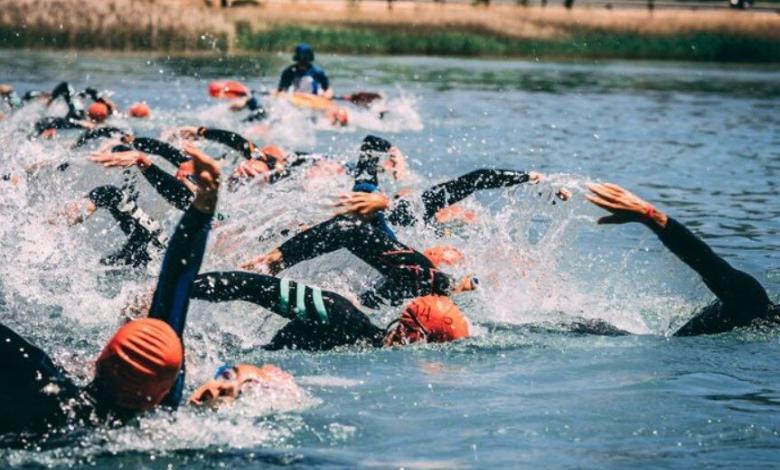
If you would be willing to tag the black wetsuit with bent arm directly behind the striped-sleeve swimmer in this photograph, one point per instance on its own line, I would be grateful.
(407, 273)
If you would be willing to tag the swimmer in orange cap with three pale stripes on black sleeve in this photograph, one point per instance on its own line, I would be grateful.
(322, 320)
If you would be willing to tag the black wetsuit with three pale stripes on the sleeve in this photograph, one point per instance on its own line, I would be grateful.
(320, 320)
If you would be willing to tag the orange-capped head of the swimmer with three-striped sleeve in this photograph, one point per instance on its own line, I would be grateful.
(431, 319)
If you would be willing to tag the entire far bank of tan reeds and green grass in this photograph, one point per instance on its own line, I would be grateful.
(409, 28)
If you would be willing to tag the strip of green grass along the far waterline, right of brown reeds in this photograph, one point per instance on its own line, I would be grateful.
(702, 46)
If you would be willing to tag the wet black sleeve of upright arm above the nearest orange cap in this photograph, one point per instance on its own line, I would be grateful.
(180, 266)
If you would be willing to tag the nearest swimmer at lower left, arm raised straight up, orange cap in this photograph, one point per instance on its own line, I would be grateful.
(129, 379)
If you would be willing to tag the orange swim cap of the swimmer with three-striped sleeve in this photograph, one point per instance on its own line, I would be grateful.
(440, 318)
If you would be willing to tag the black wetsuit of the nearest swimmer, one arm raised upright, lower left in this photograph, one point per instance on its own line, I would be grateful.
(38, 395)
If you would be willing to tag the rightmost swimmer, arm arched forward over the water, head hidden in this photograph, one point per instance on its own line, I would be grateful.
(741, 299)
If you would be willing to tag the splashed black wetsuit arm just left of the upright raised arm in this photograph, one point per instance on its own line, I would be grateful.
(140, 229)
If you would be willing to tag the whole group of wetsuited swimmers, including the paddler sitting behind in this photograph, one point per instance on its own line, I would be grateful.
(142, 364)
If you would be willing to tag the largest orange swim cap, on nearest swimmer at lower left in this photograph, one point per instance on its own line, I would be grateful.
(140, 364)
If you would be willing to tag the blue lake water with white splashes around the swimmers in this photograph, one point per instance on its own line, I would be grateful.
(702, 142)
